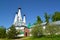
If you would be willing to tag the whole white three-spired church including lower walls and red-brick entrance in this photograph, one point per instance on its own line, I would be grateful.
(20, 24)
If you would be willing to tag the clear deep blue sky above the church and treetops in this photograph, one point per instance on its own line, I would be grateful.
(32, 9)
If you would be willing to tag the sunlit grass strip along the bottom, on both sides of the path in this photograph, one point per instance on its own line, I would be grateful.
(34, 38)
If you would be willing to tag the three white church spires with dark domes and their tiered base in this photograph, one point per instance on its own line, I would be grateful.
(18, 21)
